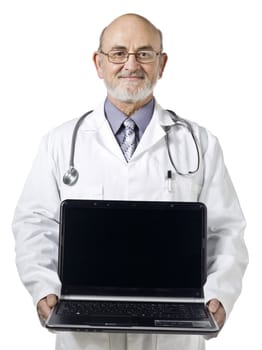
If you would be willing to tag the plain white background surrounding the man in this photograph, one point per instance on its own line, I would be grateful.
(213, 76)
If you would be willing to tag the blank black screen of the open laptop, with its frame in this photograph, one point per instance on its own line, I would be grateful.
(145, 247)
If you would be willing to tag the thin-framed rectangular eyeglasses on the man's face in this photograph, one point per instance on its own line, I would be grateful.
(121, 56)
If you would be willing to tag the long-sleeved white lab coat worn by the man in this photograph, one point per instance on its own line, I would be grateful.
(105, 174)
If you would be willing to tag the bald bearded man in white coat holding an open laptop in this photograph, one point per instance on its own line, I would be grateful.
(130, 60)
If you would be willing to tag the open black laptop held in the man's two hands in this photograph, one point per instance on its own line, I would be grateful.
(132, 266)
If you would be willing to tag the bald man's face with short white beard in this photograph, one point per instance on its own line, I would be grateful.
(131, 81)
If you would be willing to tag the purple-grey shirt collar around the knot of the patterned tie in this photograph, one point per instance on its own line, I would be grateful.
(141, 117)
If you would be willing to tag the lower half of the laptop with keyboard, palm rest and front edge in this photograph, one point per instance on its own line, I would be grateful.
(183, 323)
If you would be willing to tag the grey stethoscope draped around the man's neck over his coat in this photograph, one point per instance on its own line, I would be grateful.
(71, 176)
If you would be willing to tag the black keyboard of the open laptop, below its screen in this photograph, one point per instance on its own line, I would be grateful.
(178, 311)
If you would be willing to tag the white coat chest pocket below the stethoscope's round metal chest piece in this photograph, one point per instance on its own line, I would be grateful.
(82, 192)
